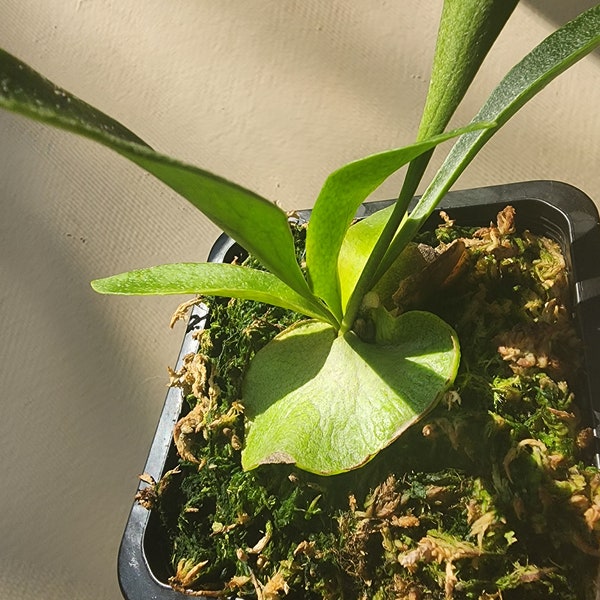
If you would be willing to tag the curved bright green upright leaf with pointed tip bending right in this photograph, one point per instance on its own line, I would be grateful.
(338, 201)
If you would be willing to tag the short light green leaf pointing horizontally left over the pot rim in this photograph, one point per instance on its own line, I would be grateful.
(211, 279)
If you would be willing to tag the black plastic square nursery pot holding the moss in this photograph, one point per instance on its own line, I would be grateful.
(549, 208)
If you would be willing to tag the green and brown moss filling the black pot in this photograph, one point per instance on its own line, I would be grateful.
(491, 496)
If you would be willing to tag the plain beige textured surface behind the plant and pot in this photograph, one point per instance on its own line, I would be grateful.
(272, 94)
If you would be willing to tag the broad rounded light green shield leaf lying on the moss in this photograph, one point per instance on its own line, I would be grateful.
(329, 403)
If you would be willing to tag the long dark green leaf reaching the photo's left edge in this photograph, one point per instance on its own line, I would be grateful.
(255, 223)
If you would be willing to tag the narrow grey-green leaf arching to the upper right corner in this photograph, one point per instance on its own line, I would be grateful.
(549, 59)
